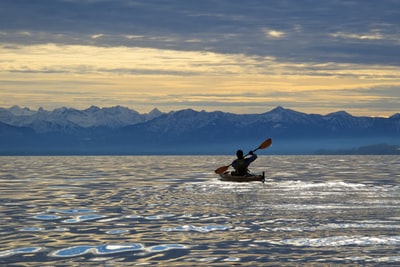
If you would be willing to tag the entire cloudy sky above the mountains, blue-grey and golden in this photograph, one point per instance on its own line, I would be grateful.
(230, 55)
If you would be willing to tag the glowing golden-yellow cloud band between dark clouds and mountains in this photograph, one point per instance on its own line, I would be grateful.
(80, 74)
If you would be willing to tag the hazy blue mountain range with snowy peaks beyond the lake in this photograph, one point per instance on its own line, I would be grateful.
(120, 130)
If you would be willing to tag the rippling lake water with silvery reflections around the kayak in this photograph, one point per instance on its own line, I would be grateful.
(172, 211)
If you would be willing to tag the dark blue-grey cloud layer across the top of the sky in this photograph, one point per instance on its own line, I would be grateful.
(304, 31)
